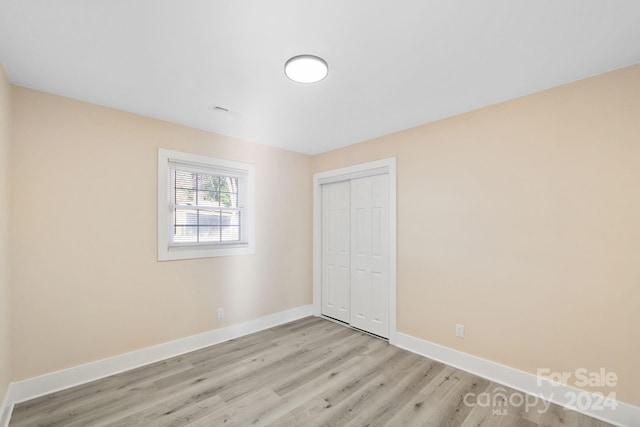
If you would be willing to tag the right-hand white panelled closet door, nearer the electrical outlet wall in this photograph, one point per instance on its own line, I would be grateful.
(370, 254)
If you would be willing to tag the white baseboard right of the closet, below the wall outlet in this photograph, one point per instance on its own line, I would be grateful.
(623, 415)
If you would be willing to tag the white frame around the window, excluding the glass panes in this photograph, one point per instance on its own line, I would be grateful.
(168, 252)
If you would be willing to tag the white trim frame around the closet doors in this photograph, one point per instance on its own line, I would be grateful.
(378, 167)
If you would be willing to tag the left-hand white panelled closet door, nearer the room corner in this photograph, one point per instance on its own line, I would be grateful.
(336, 250)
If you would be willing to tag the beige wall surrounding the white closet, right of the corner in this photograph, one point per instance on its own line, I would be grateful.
(522, 221)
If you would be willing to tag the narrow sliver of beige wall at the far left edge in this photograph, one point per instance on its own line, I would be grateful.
(5, 182)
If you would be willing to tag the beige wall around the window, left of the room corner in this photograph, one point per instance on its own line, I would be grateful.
(86, 283)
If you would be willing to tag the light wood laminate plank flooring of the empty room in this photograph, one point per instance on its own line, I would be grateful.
(311, 372)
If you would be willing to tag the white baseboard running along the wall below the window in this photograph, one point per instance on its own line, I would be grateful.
(55, 381)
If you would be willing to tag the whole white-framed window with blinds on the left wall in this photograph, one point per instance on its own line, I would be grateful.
(205, 206)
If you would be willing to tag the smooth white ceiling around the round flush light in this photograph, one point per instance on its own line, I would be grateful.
(392, 64)
